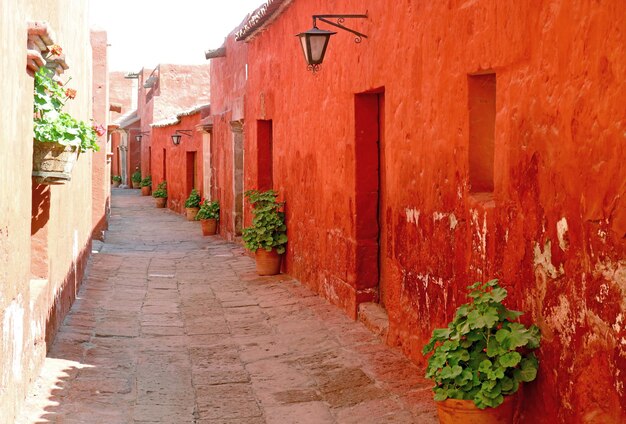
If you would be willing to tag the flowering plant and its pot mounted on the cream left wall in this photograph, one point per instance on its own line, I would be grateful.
(58, 137)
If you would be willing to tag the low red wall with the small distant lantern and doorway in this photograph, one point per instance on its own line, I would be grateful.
(177, 166)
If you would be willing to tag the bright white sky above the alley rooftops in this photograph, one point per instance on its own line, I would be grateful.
(144, 33)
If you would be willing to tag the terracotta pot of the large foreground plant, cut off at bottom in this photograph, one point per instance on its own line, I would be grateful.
(454, 411)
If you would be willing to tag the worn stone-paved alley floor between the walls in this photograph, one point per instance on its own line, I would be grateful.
(173, 327)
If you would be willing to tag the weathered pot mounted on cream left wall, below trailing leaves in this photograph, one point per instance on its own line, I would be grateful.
(53, 162)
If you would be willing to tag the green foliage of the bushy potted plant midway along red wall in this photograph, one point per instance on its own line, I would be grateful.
(268, 228)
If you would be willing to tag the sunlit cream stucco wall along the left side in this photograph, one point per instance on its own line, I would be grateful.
(32, 305)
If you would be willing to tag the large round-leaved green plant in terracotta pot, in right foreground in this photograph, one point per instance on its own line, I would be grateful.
(479, 362)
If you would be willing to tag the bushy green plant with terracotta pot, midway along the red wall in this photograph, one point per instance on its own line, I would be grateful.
(267, 236)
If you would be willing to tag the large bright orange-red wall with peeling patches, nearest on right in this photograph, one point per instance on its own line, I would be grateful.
(552, 229)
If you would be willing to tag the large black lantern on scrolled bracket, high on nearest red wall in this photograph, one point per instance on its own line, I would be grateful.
(315, 40)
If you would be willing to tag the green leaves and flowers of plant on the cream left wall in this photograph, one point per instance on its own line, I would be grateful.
(51, 124)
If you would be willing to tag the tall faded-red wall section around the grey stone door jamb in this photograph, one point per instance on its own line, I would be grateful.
(228, 85)
